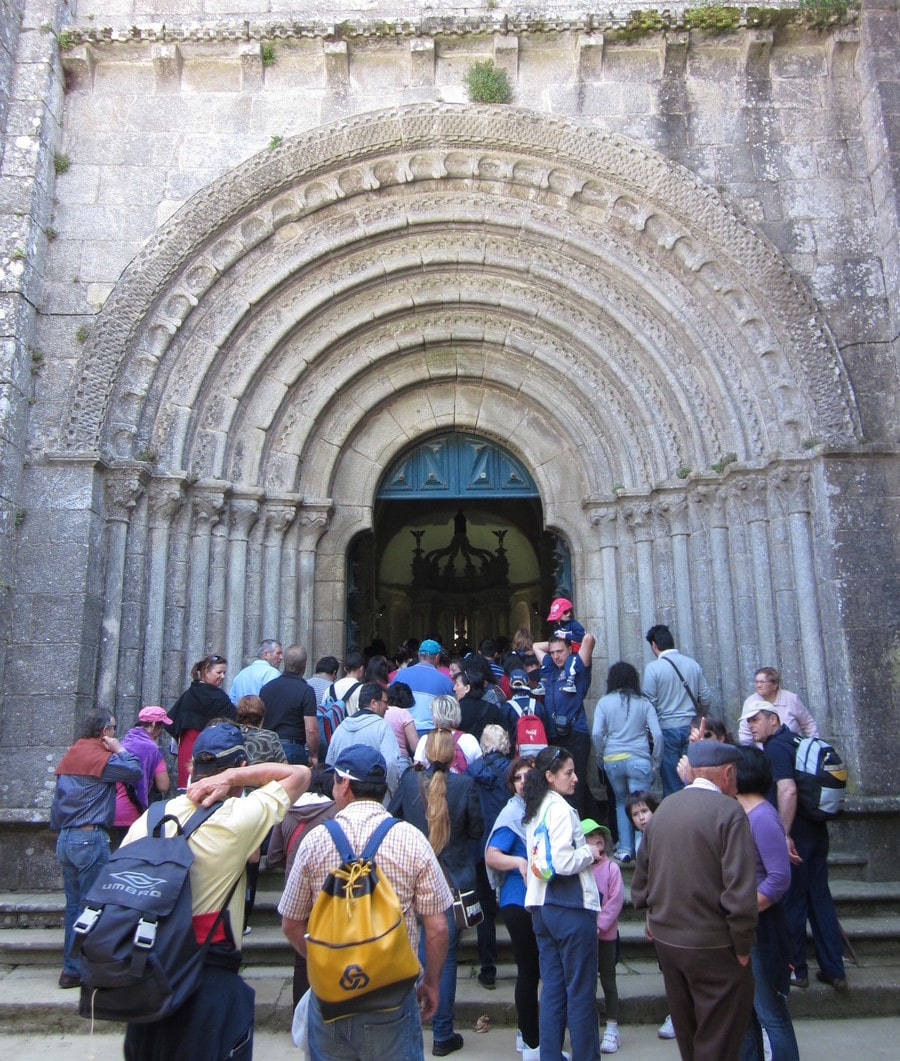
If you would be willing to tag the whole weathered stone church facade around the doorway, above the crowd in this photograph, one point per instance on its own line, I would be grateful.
(254, 254)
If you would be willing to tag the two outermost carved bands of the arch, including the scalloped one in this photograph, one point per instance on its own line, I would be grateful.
(653, 208)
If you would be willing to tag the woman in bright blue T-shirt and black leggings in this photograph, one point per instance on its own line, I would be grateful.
(506, 858)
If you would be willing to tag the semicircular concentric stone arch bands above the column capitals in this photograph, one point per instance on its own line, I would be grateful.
(337, 260)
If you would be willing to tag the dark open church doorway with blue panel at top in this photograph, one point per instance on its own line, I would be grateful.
(458, 549)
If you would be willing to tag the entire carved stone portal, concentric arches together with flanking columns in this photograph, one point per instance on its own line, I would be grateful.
(570, 295)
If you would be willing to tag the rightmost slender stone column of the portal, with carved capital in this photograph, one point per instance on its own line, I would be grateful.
(792, 488)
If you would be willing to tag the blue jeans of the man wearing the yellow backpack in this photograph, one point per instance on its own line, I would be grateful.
(395, 1035)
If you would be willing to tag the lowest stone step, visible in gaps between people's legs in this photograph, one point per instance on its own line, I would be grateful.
(31, 1001)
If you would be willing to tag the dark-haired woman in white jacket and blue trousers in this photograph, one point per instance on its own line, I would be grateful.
(564, 902)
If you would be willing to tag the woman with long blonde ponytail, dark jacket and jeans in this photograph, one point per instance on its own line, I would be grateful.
(445, 807)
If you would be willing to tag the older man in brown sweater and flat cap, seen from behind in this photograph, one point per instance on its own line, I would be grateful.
(702, 906)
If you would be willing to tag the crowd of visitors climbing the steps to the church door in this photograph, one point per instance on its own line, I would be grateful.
(486, 757)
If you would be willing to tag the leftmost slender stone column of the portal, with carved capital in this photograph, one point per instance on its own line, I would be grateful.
(123, 488)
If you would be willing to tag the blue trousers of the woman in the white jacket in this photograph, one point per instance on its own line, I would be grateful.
(567, 945)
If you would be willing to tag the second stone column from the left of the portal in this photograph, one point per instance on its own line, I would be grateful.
(165, 499)
